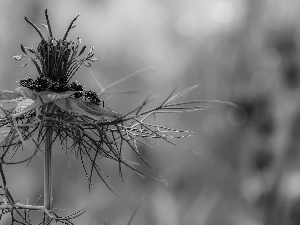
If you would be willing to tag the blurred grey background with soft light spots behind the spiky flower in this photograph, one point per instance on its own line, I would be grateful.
(243, 51)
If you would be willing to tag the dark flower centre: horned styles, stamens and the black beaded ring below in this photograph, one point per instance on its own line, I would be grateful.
(57, 60)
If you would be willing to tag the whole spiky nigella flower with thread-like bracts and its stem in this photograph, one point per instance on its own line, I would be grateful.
(51, 109)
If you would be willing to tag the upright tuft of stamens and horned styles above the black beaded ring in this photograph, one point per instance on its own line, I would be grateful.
(56, 60)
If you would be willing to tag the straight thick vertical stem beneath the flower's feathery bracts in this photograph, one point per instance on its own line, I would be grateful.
(47, 172)
